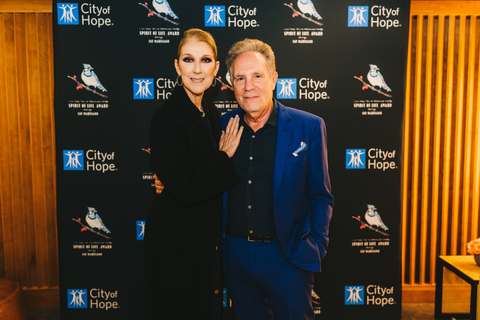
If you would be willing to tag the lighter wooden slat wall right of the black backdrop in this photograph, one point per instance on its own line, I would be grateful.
(441, 172)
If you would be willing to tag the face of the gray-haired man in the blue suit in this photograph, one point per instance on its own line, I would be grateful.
(252, 83)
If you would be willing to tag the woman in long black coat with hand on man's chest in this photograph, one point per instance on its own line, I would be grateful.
(191, 157)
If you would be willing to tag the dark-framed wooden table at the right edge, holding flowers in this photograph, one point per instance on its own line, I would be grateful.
(456, 287)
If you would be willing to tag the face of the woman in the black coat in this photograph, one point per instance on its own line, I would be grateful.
(197, 66)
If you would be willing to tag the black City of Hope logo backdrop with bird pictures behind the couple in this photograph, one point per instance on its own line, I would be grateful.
(341, 60)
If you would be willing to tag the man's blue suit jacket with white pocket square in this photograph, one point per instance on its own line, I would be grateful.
(302, 197)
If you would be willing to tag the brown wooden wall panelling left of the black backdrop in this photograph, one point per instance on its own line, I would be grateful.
(28, 241)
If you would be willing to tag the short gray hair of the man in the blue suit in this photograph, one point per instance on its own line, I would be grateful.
(251, 45)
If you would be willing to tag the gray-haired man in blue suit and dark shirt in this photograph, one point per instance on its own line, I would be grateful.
(276, 219)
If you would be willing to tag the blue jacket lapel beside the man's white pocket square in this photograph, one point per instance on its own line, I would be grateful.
(284, 131)
